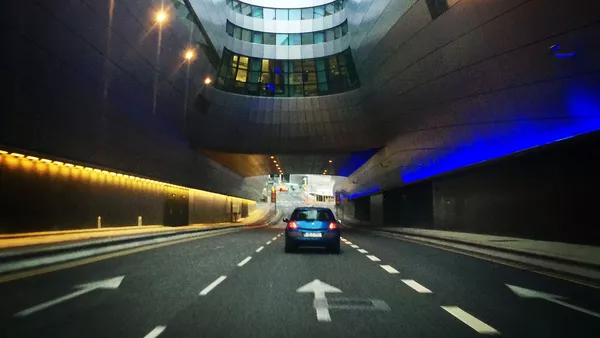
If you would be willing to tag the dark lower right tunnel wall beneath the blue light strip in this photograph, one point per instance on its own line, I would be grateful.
(548, 193)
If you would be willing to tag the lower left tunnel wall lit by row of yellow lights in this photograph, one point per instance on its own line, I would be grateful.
(45, 196)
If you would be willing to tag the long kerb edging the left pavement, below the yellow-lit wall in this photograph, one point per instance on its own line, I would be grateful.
(16, 254)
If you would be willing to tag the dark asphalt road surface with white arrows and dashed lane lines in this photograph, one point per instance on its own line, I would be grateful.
(242, 284)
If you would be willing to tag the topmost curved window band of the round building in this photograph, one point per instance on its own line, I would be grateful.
(266, 13)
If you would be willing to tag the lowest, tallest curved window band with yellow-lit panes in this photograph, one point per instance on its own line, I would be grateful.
(287, 78)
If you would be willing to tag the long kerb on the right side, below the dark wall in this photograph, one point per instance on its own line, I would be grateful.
(491, 247)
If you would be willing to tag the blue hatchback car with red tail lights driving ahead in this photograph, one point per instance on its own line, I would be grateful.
(312, 226)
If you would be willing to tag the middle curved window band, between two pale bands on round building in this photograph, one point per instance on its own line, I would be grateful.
(291, 39)
